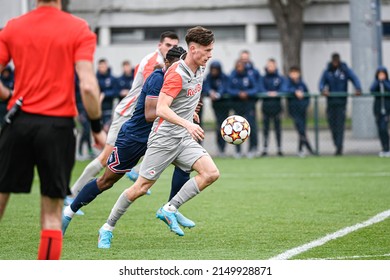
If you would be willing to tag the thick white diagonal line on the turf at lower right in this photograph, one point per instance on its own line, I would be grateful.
(321, 241)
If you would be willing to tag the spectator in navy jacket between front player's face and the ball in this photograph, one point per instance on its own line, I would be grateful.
(215, 86)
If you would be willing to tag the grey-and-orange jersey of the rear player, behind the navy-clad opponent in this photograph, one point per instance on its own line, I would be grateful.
(143, 70)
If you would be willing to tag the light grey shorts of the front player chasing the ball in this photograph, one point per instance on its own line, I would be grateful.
(181, 152)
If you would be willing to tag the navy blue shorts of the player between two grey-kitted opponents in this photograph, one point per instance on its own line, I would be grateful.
(125, 155)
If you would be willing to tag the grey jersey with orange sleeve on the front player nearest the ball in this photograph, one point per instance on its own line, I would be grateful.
(185, 87)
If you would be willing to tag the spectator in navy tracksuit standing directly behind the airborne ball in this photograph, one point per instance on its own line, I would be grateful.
(243, 89)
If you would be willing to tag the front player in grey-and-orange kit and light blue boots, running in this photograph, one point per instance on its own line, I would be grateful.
(174, 137)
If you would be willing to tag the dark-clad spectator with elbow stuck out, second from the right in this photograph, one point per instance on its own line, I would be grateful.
(334, 85)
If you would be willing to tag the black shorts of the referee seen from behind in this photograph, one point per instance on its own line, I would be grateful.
(47, 143)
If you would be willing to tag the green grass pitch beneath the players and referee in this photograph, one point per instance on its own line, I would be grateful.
(258, 209)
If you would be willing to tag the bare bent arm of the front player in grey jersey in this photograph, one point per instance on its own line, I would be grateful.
(164, 111)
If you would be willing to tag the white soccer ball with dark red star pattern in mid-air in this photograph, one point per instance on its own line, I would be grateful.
(235, 130)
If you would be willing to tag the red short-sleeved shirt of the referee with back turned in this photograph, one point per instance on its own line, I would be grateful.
(44, 45)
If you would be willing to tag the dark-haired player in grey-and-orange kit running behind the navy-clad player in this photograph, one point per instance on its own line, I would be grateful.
(125, 109)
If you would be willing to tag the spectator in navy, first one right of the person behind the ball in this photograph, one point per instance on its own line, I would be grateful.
(272, 109)
